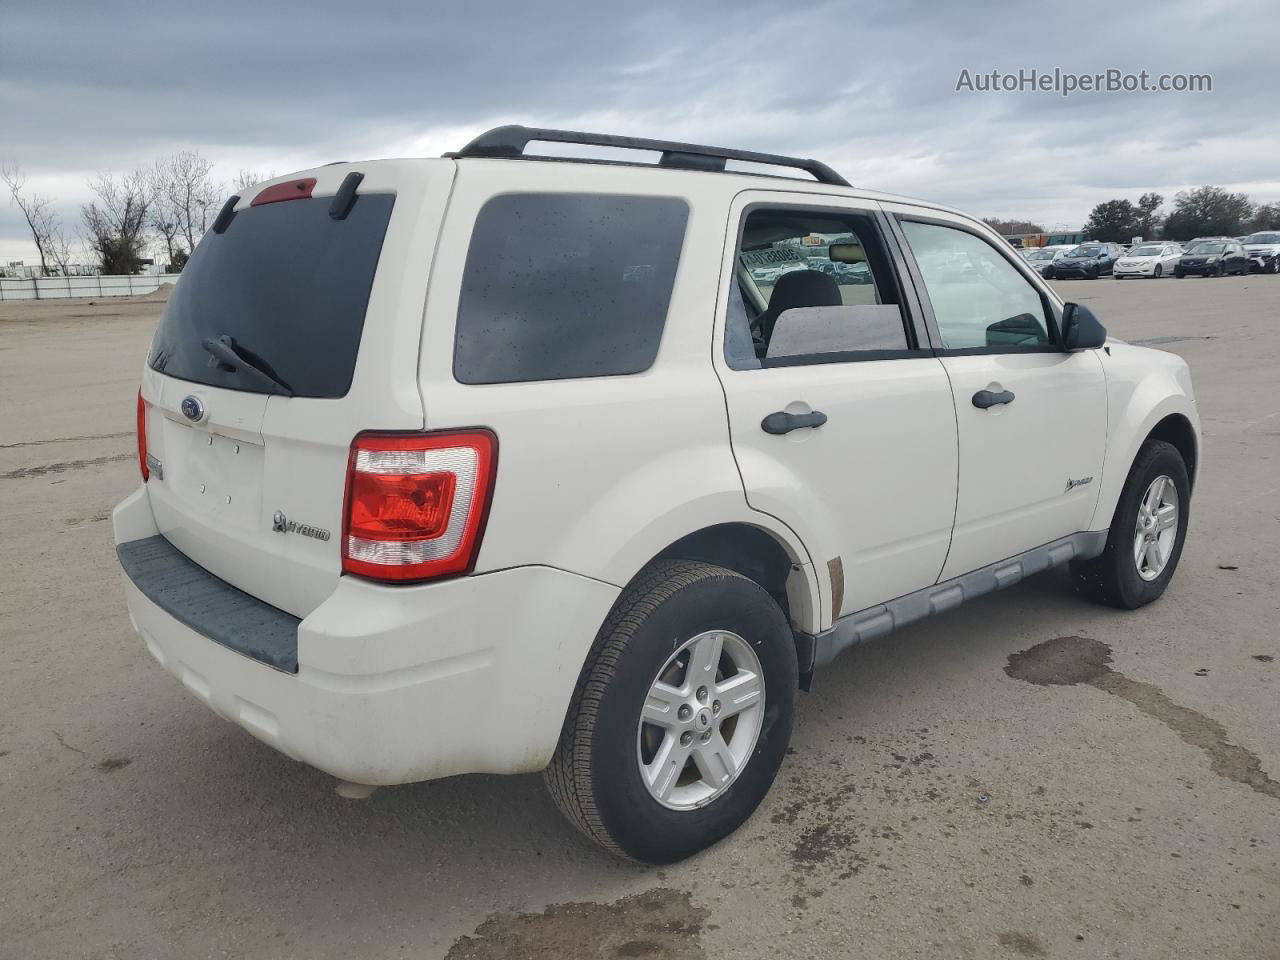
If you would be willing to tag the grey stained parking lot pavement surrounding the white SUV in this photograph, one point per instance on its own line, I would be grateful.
(1112, 793)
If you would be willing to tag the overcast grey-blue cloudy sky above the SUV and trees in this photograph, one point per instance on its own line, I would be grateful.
(870, 88)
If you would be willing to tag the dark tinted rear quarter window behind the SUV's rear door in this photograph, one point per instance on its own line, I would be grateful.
(561, 286)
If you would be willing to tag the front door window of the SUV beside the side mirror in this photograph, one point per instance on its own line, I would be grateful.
(980, 299)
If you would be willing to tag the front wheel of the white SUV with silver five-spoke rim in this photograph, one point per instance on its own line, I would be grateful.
(1124, 574)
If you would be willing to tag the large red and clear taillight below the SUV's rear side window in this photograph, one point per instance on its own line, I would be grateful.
(417, 504)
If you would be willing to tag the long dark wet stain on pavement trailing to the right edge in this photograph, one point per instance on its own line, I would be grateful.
(1068, 661)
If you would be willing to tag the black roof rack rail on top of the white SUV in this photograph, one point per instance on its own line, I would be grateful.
(510, 143)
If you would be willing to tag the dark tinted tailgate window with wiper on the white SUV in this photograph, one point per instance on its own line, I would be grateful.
(290, 286)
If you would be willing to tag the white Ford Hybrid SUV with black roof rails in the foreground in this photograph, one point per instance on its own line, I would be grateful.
(501, 464)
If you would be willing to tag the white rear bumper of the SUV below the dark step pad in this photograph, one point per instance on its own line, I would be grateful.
(403, 684)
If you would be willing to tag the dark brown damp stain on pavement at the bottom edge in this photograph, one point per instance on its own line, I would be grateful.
(659, 925)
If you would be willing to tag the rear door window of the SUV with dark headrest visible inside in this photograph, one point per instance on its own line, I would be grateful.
(812, 287)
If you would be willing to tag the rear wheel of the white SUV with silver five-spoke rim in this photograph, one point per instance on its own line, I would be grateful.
(682, 716)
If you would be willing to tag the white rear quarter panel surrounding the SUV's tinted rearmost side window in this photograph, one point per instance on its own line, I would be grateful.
(598, 476)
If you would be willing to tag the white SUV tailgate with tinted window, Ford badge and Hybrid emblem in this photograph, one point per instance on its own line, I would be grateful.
(323, 316)
